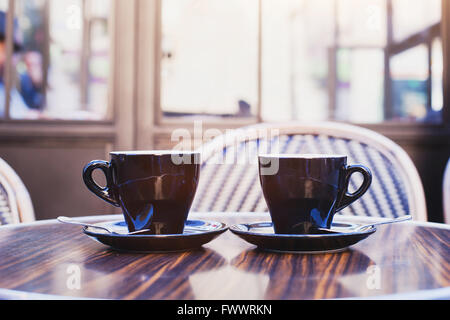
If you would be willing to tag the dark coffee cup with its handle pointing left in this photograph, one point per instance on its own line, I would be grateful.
(154, 189)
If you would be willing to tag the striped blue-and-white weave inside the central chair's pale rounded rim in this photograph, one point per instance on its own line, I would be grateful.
(234, 186)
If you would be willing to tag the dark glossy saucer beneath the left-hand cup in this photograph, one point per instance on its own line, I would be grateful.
(196, 233)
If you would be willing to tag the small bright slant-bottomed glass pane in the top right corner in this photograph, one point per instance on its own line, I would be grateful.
(413, 16)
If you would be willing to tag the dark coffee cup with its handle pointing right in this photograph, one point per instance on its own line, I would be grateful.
(305, 191)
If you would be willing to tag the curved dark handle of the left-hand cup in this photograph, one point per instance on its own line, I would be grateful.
(101, 192)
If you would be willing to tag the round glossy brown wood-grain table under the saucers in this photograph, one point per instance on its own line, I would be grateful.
(48, 259)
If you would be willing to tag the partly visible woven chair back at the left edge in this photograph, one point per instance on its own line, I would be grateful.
(15, 201)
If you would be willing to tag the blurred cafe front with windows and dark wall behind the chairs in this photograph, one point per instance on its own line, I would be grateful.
(103, 75)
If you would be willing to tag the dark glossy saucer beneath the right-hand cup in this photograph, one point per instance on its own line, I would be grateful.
(338, 238)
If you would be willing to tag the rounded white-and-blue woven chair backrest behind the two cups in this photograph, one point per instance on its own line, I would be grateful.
(229, 180)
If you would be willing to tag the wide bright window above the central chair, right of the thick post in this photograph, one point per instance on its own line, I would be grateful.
(362, 61)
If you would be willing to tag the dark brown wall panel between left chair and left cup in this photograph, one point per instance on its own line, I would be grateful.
(53, 178)
